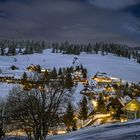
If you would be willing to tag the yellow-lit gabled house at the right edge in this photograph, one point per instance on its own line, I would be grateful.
(132, 109)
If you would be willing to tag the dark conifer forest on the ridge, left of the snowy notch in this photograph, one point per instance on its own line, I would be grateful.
(14, 47)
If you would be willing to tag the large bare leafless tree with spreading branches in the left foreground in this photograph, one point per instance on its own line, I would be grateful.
(38, 110)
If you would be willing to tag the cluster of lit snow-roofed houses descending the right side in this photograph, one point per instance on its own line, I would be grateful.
(128, 107)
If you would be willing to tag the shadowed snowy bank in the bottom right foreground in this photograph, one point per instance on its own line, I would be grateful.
(126, 131)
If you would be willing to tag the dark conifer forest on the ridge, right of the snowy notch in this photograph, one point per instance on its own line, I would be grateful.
(104, 48)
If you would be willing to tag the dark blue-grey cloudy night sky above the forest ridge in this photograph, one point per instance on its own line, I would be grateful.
(73, 20)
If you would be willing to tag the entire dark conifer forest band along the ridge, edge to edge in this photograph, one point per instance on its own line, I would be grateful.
(13, 47)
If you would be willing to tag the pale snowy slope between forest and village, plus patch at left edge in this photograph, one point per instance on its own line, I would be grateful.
(113, 65)
